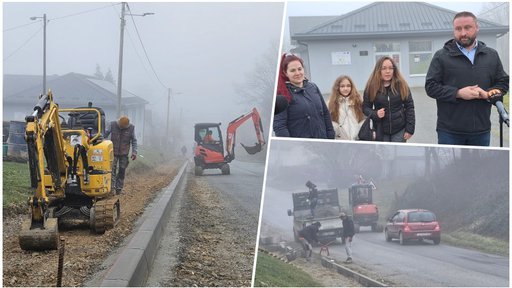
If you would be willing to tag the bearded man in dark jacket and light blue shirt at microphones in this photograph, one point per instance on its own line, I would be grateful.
(462, 77)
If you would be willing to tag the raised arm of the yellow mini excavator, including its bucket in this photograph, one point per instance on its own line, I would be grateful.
(46, 155)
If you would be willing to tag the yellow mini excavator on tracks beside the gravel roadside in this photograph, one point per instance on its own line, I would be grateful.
(70, 172)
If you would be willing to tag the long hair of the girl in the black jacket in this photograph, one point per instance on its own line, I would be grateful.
(375, 83)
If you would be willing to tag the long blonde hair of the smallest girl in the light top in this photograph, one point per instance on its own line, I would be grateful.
(354, 96)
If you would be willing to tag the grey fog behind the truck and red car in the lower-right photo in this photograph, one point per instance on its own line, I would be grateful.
(405, 176)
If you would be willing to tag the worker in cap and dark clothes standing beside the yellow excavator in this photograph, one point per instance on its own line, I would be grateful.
(122, 134)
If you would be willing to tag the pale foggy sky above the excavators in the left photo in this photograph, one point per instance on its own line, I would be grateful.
(202, 51)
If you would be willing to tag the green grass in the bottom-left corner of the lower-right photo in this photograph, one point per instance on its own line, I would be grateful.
(271, 272)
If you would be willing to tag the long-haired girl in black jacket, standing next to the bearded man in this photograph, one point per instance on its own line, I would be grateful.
(388, 101)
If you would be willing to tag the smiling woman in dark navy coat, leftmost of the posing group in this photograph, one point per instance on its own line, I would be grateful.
(307, 115)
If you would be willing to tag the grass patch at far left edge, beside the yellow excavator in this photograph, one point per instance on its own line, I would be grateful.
(16, 184)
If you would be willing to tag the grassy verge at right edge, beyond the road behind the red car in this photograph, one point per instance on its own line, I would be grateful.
(477, 242)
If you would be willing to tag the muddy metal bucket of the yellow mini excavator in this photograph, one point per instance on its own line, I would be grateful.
(39, 238)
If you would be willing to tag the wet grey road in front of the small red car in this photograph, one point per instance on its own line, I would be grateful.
(426, 264)
